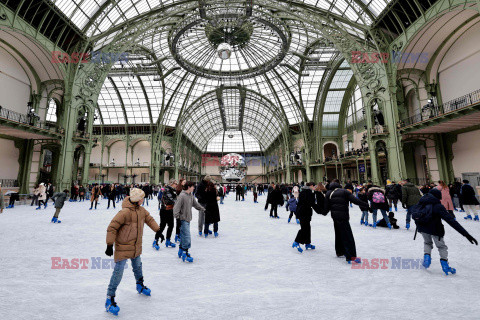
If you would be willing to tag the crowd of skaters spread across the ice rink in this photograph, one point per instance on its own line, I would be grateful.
(427, 205)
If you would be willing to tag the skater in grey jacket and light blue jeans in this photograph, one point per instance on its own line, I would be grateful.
(183, 210)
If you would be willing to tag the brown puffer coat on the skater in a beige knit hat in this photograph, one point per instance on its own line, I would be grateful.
(126, 230)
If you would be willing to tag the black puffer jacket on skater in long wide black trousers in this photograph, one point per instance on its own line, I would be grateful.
(337, 203)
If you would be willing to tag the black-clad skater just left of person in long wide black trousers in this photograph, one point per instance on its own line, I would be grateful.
(307, 203)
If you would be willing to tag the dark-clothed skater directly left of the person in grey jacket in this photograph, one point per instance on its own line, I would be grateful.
(166, 212)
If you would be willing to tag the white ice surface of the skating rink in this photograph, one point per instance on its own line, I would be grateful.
(249, 272)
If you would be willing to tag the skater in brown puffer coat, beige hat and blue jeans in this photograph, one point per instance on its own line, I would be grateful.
(125, 231)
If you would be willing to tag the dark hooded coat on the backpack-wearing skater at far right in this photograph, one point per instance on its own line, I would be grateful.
(435, 225)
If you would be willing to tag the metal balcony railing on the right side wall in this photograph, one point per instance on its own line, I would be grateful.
(450, 106)
